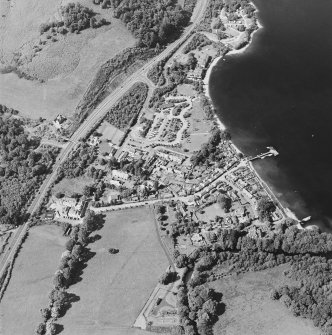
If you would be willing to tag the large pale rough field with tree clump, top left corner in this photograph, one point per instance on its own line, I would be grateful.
(67, 66)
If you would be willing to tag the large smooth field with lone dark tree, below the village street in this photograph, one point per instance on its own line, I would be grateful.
(114, 288)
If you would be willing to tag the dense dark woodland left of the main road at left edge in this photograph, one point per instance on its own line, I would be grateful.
(22, 168)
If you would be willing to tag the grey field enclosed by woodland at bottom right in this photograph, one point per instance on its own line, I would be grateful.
(251, 311)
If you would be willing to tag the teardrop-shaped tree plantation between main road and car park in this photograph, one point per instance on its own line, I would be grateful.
(126, 111)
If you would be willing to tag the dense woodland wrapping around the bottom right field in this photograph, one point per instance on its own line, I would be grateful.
(233, 251)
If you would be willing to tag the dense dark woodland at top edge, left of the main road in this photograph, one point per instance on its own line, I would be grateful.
(151, 22)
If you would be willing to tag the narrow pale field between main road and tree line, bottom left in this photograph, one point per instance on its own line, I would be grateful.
(31, 282)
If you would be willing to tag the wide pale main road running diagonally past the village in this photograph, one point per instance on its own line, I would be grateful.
(91, 121)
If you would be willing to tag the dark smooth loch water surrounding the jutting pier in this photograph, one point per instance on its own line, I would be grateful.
(278, 93)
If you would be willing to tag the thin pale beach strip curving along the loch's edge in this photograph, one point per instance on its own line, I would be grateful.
(285, 210)
